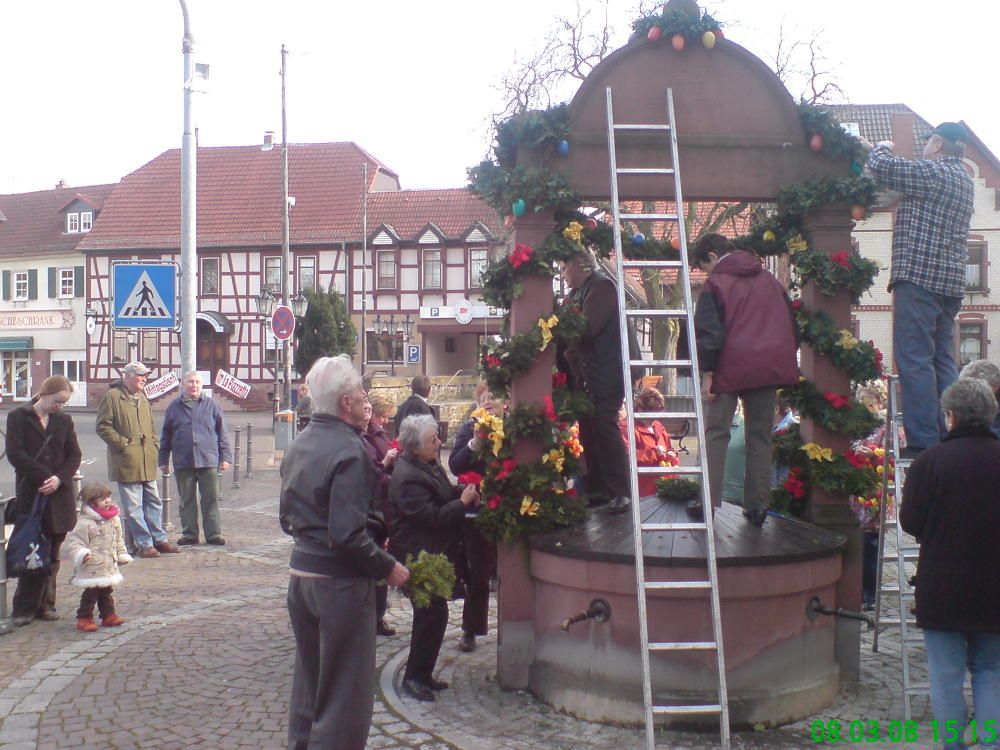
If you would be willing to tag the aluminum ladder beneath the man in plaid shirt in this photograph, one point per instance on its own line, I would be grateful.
(906, 552)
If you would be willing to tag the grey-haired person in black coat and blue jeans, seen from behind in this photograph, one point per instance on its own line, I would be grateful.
(950, 505)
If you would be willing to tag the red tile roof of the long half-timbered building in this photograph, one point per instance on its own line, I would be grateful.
(239, 200)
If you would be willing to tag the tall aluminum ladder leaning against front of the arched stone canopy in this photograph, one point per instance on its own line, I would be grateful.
(711, 584)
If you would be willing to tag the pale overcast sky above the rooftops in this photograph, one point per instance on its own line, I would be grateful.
(91, 91)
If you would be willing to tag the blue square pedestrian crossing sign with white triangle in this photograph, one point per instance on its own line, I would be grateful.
(145, 295)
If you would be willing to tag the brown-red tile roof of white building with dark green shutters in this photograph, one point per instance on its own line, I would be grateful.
(33, 223)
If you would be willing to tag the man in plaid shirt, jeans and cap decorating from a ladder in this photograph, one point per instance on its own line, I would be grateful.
(929, 255)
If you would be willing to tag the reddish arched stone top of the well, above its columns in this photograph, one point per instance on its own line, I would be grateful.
(738, 129)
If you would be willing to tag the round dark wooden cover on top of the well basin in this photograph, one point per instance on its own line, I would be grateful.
(608, 538)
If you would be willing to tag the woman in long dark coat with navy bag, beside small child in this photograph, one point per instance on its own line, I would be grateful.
(43, 449)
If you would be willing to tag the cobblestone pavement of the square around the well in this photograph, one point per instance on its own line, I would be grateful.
(205, 661)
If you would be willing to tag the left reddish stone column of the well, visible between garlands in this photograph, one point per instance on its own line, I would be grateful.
(515, 592)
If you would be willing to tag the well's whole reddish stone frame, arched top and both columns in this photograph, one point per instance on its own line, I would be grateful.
(740, 138)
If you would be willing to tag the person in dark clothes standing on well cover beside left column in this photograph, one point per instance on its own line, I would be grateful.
(595, 364)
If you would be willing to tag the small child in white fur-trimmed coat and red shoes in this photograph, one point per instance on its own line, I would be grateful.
(97, 547)
